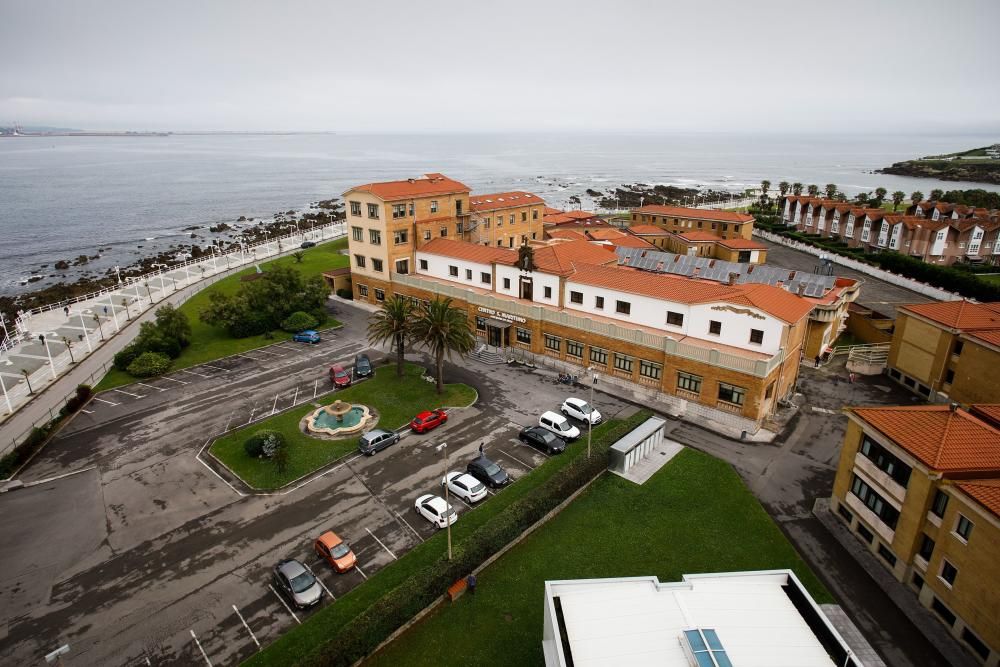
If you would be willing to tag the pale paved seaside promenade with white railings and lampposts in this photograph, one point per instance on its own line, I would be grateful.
(54, 349)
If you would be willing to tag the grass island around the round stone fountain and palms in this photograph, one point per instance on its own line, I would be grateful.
(395, 399)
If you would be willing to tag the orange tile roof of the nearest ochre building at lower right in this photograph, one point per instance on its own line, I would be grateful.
(943, 439)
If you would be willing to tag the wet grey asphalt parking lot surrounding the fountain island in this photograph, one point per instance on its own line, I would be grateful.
(159, 560)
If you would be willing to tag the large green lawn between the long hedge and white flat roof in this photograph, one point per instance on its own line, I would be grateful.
(695, 515)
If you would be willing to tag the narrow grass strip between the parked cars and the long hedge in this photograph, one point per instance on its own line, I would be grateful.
(303, 642)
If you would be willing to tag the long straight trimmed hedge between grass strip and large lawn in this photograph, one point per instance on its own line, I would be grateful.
(363, 635)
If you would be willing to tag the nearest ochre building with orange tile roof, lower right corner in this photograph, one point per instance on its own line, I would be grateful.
(919, 486)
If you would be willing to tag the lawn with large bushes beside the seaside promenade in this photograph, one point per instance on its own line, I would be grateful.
(209, 343)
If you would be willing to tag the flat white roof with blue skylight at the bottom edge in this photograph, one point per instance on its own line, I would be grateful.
(639, 621)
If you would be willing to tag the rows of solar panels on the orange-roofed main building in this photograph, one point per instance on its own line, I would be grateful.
(813, 284)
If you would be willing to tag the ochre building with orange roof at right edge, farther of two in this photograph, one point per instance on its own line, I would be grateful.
(947, 350)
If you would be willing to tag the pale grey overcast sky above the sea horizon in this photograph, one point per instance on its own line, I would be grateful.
(417, 65)
